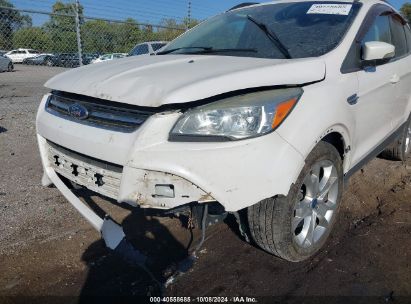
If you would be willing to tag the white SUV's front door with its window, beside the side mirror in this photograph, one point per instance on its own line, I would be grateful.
(376, 94)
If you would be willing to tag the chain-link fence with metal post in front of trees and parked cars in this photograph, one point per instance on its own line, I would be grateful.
(66, 35)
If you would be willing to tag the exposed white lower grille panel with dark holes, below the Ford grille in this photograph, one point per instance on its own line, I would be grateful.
(96, 175)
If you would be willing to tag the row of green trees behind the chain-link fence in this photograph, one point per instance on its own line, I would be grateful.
(58, 34)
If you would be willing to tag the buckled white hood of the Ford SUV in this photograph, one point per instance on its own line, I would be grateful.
(153, 81)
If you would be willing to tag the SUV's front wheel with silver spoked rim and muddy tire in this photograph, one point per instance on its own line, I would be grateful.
(279, 225)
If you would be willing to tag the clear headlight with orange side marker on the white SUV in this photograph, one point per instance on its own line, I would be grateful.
(236, 118)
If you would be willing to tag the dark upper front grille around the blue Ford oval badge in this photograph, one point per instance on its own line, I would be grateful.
(100, 113)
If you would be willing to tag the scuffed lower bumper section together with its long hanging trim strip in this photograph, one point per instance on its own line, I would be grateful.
(105, 179)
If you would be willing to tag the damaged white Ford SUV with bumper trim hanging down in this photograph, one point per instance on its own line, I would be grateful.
(266, 109)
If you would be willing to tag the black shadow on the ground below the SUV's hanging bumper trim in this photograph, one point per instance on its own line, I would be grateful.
(109, 273)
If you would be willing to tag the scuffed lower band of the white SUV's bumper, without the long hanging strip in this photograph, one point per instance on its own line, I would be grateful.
(136, 187)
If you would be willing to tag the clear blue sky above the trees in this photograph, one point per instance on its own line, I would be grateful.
(142, 10)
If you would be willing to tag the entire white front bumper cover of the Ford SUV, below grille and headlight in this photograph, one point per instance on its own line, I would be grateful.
(236, 174)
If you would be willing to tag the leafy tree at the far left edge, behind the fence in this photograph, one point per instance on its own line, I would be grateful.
(10, 21)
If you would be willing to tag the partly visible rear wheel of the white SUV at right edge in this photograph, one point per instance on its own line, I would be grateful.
(400, 149)
